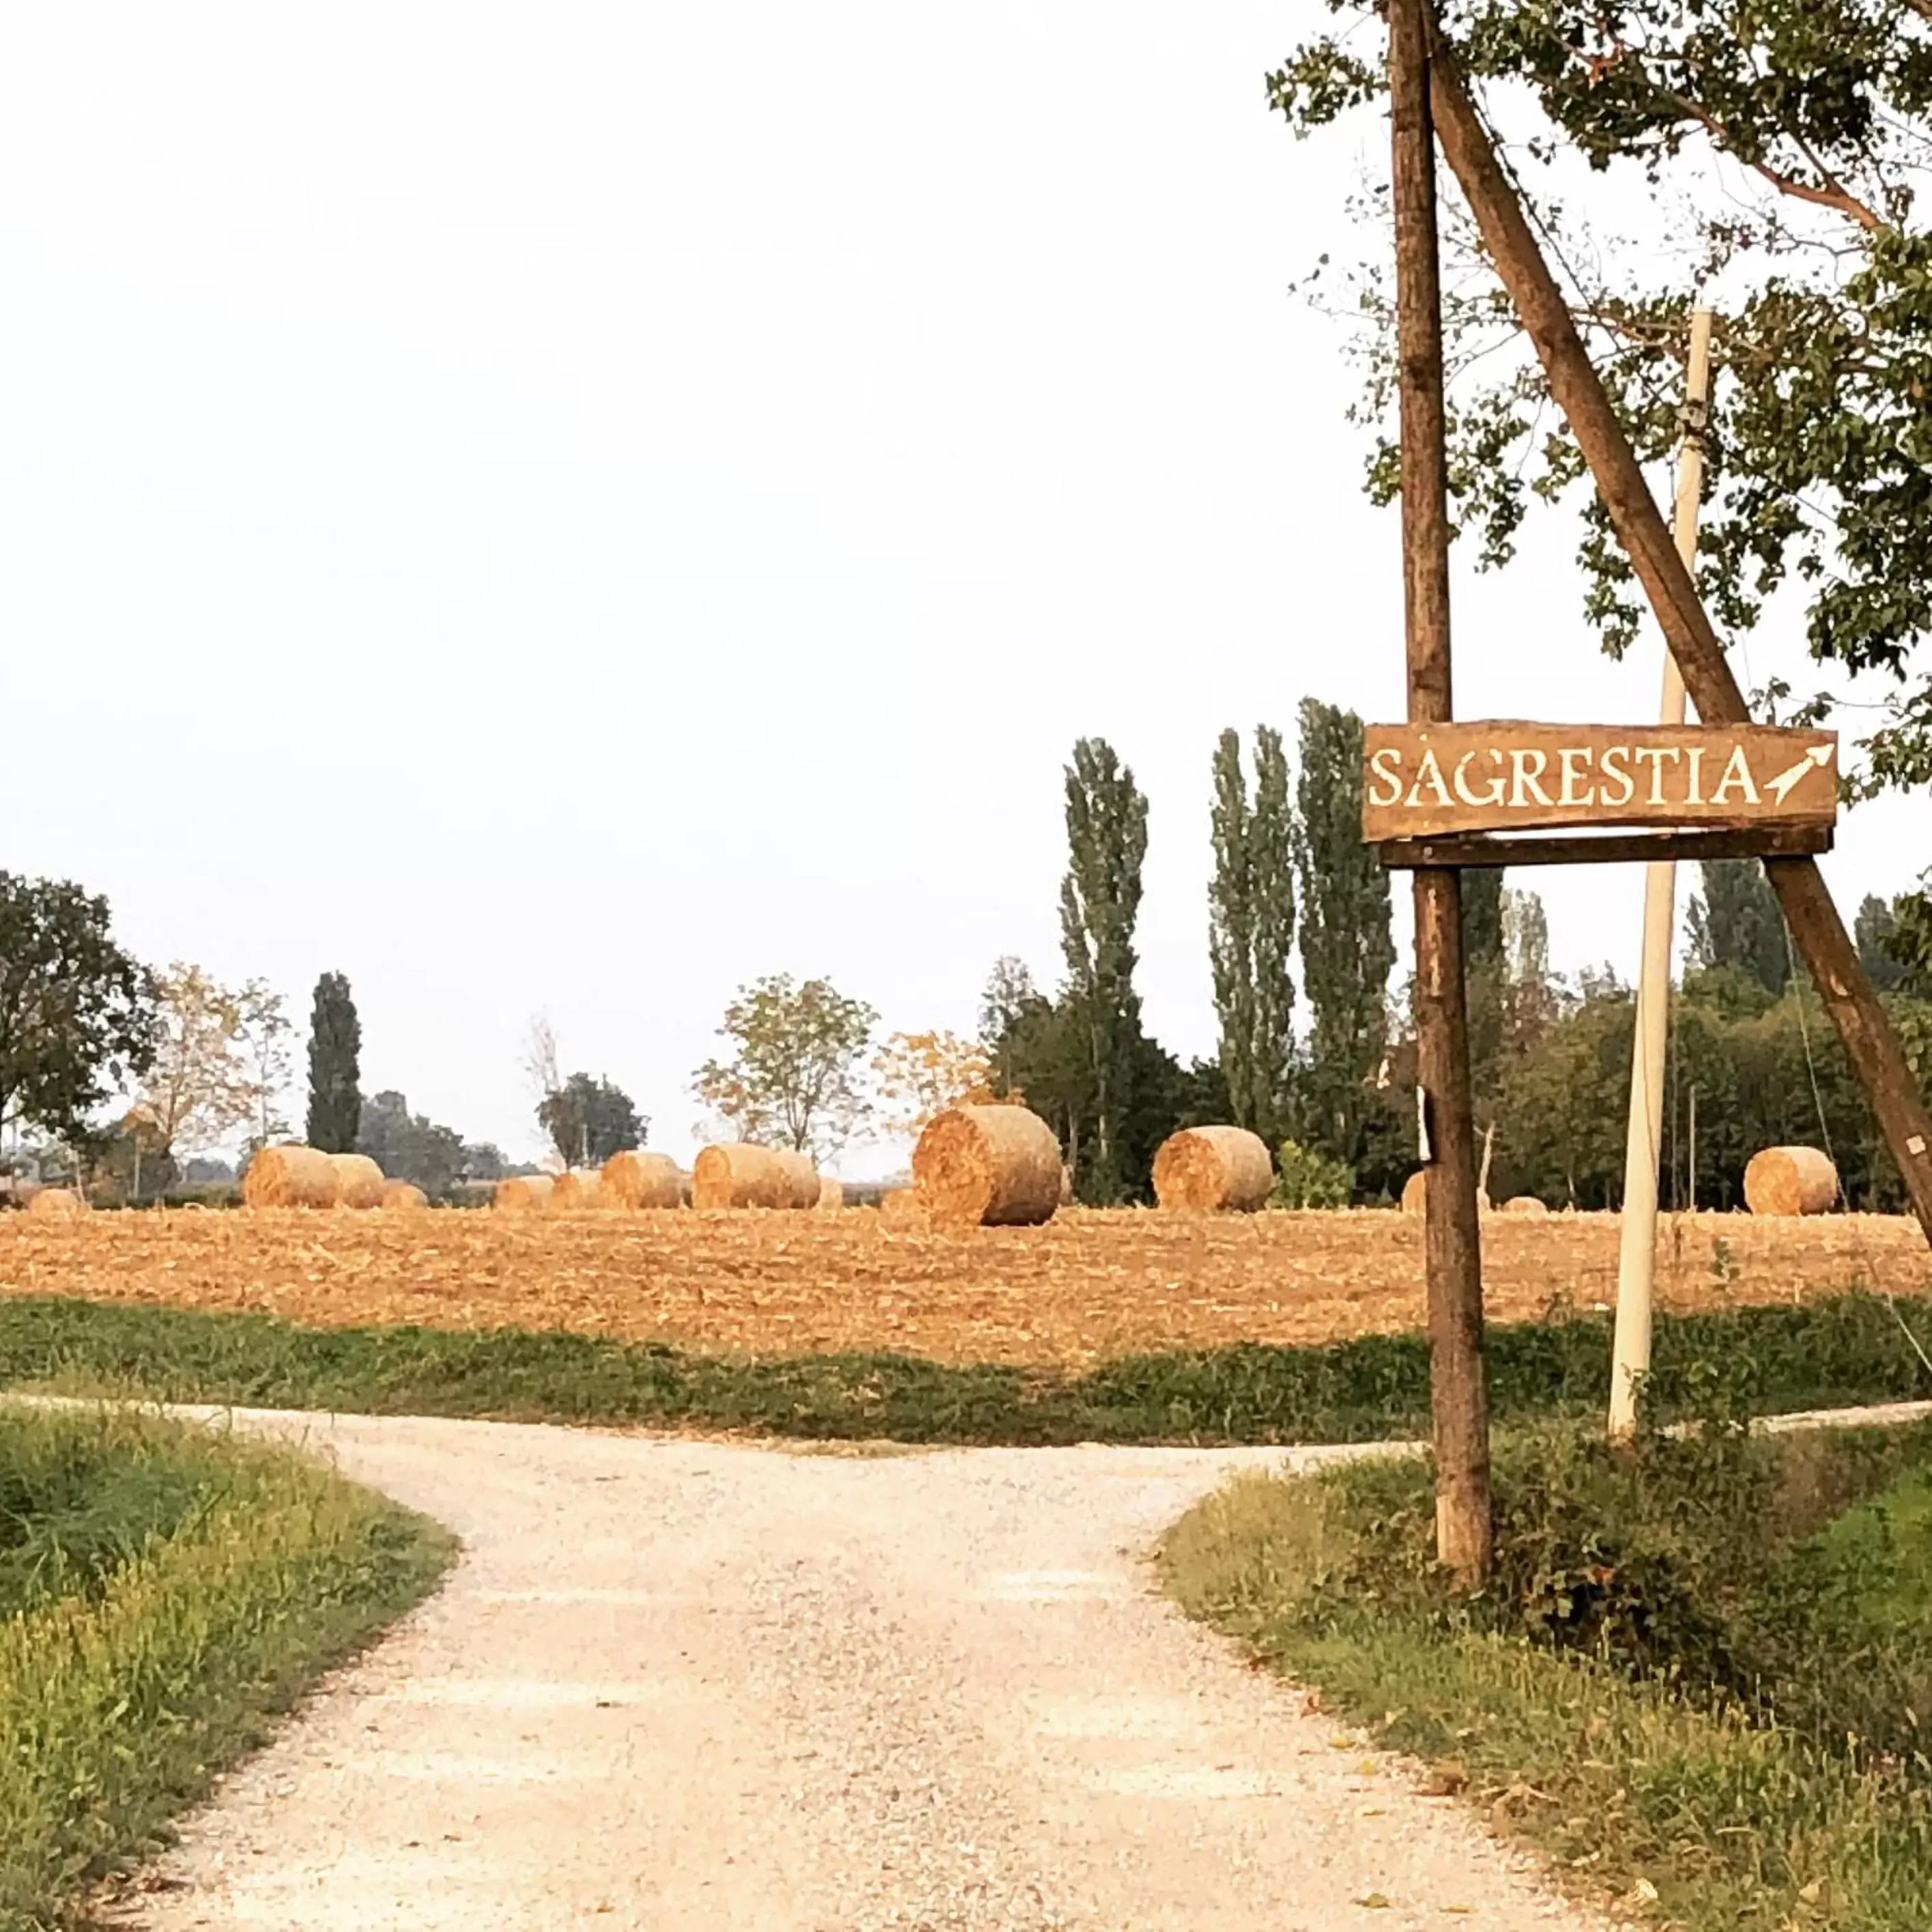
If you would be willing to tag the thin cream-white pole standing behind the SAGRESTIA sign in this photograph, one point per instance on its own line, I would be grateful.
(1637, 1253)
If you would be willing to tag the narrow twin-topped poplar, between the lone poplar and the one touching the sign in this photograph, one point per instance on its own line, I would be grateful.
(1251, 930)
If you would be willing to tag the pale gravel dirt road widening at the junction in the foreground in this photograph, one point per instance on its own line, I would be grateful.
(681, 1686)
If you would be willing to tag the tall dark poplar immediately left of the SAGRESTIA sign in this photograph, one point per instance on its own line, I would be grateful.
(1348, 950)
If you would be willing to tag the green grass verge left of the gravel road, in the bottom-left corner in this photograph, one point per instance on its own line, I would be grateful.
(163, 1593)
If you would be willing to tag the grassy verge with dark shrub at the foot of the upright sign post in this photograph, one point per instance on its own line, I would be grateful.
(1699, 1682)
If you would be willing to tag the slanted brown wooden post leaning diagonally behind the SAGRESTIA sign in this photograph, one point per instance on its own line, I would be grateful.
(1817, 930)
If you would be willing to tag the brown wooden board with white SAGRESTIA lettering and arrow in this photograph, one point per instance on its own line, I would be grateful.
(1502, 778)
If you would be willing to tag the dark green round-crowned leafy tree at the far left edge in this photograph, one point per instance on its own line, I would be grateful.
(76, 1011)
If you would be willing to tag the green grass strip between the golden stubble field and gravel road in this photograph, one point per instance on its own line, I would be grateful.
(1831, 1353)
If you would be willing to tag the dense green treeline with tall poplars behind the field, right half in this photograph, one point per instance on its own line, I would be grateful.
(1317, 1046)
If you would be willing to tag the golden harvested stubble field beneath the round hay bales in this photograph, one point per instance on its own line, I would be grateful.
(1085, 1288)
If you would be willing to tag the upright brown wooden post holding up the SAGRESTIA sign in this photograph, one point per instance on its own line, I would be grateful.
(1460, 1394)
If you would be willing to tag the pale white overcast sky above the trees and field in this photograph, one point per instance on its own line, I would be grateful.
(579, 507)
